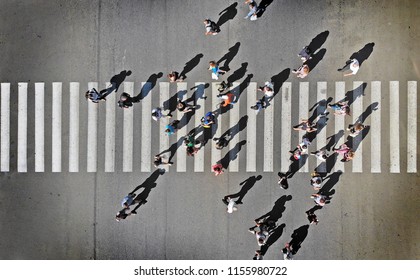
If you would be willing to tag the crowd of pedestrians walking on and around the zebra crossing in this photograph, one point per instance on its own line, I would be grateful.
(263, 228)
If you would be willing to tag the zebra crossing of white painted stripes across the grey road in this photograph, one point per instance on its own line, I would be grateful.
(297, 93)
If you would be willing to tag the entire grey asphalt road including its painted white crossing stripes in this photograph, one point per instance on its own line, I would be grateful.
(374, 207)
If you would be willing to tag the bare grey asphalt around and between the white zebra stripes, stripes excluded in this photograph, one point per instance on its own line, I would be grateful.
(71, 216)
